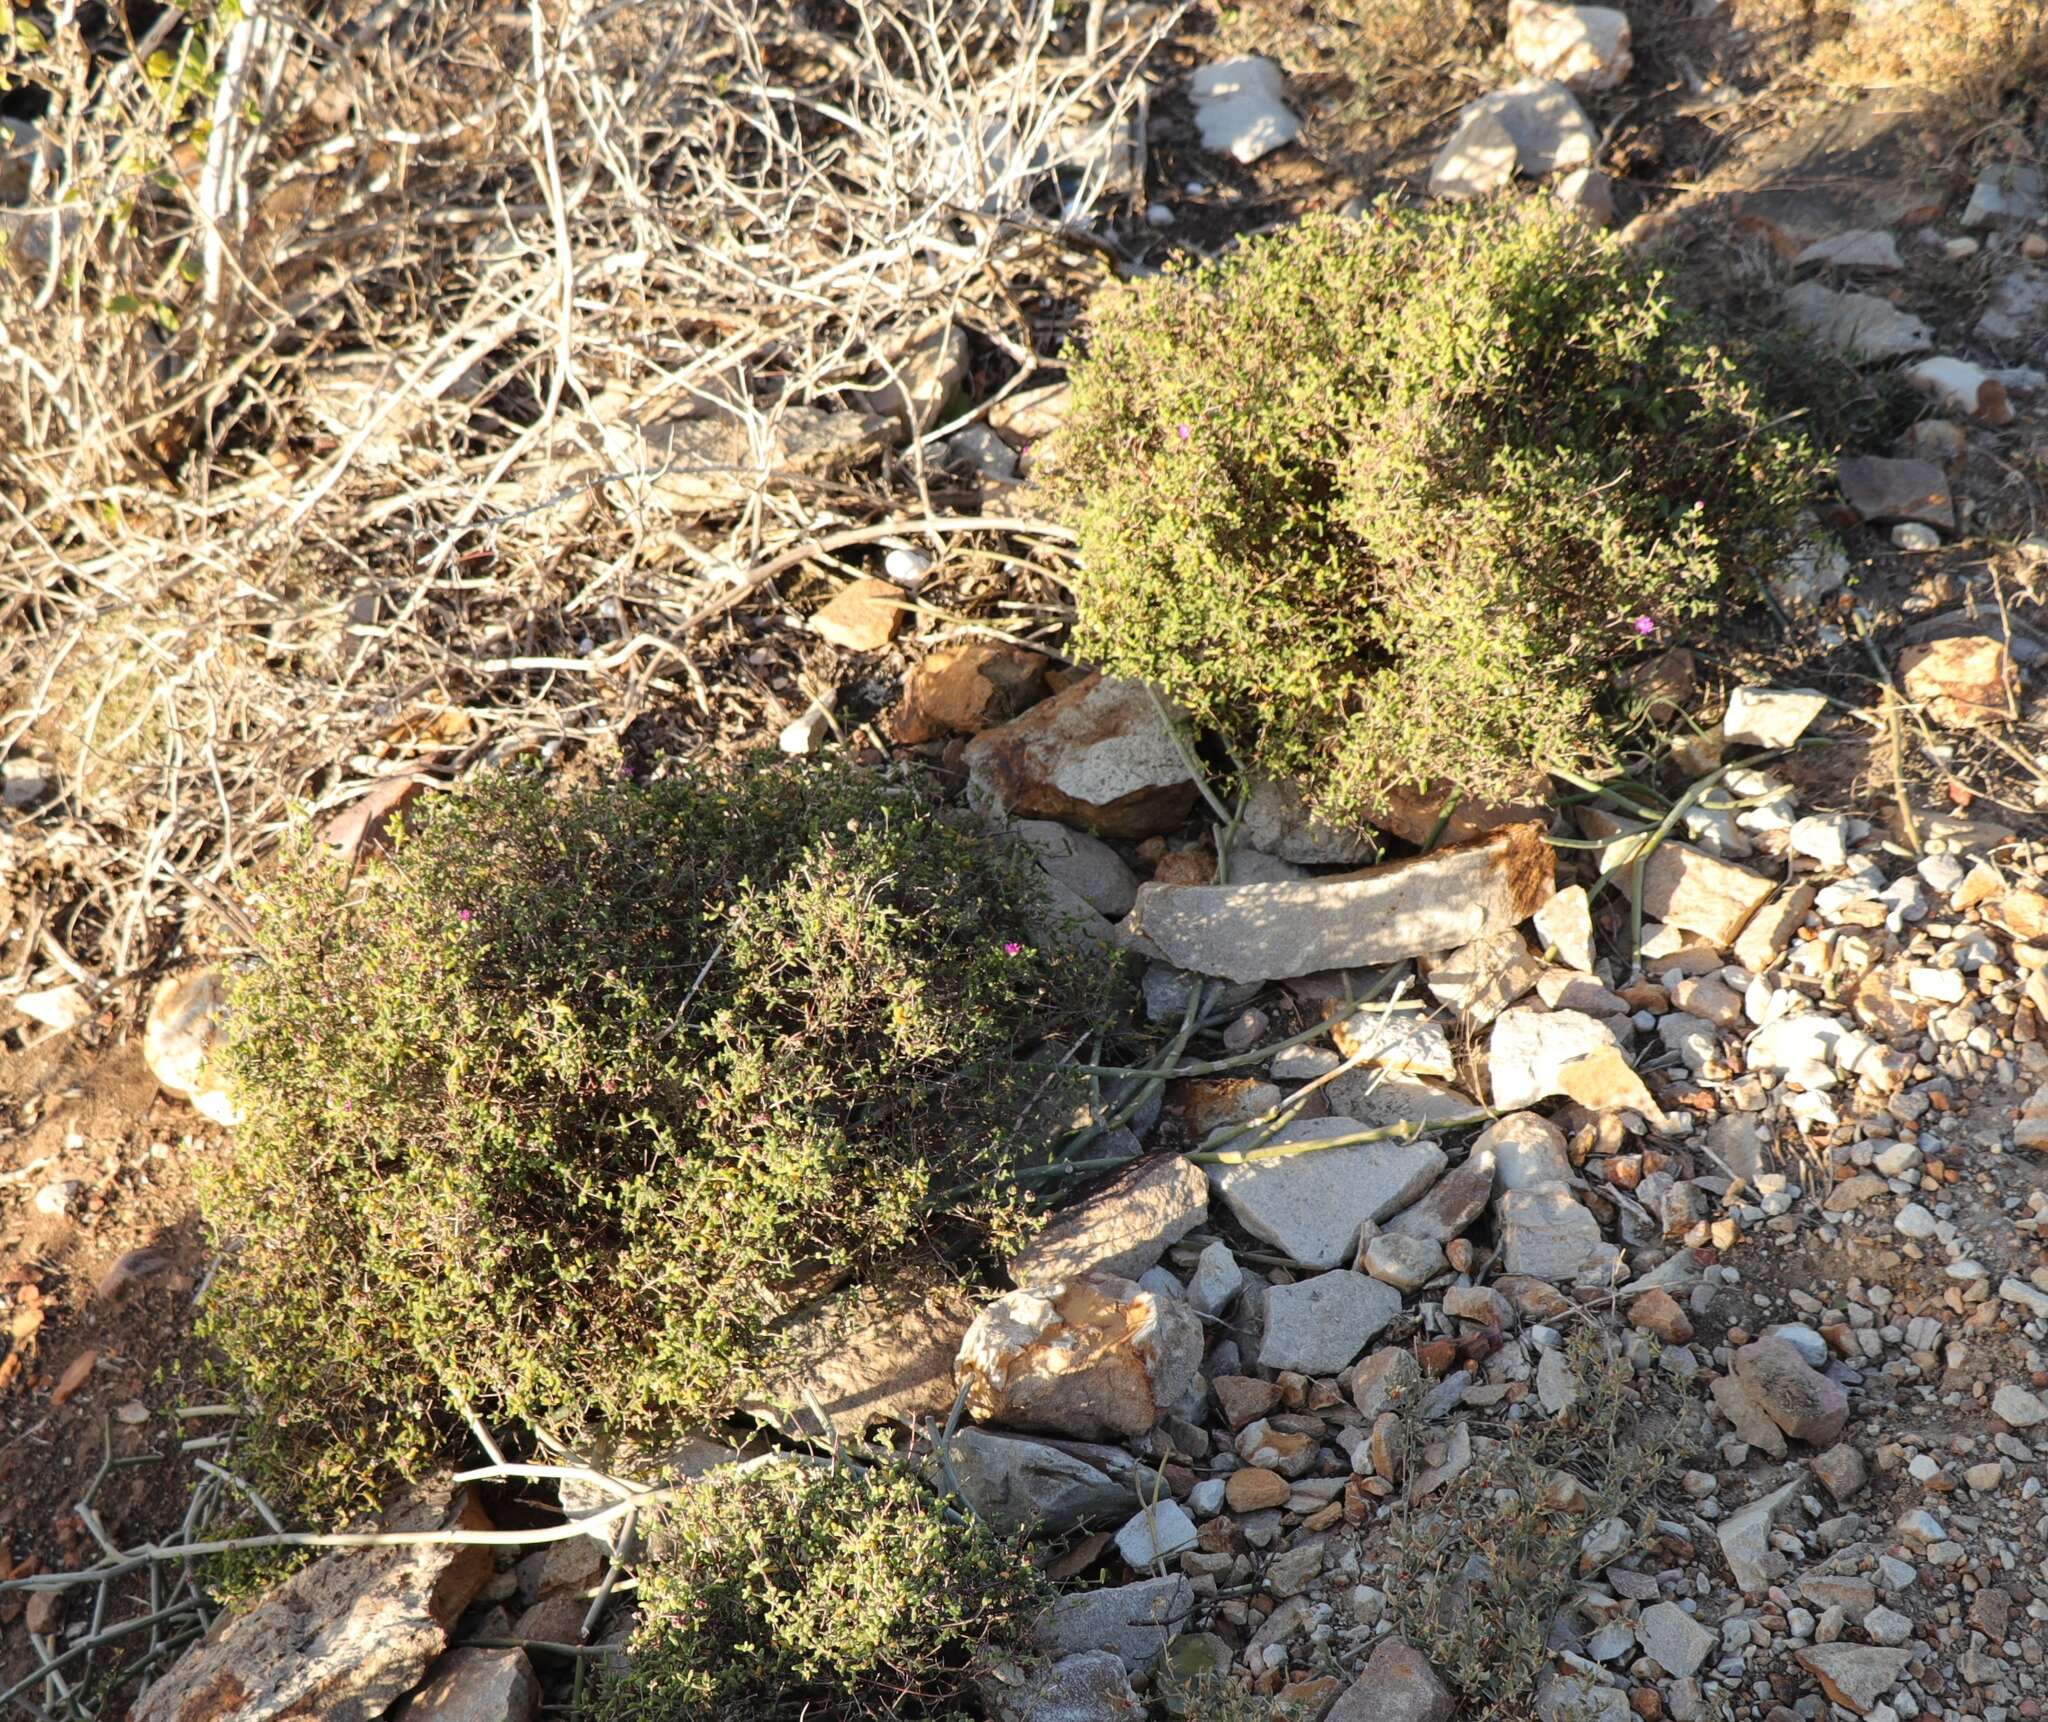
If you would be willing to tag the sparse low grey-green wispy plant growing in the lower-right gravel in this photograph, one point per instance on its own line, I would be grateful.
(1482, 1569)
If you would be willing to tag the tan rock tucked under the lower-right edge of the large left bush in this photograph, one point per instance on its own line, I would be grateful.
(876, 1354)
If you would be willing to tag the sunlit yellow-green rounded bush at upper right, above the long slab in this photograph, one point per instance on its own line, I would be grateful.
(1383, 501)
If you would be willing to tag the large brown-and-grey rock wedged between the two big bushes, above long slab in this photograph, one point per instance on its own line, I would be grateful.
(1097, 757)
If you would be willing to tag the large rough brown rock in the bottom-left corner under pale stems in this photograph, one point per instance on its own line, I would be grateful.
(341, 1641)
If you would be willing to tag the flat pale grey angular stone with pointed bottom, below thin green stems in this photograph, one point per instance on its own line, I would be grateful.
(1310, 1205)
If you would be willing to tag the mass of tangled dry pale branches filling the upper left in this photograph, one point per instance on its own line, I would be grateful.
(359, 363)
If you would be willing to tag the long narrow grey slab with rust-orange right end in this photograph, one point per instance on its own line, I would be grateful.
(1271, 933)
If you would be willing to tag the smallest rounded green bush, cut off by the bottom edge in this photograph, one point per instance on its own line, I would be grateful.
(804, 1596)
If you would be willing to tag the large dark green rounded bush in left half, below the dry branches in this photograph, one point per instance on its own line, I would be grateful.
(554, 1115)
